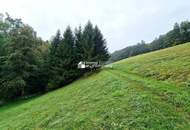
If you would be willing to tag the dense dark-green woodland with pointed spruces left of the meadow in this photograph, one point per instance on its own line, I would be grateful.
(29, 65)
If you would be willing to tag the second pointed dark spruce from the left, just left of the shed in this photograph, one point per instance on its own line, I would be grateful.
(65, 69)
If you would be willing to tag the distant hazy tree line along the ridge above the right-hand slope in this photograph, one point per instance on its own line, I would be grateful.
(178, 35)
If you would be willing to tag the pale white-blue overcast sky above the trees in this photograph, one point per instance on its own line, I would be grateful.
(123, 22)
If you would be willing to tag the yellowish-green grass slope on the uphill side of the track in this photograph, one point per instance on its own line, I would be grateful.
(171, 64)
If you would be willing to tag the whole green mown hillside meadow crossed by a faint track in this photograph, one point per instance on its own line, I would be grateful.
(146, 92)
